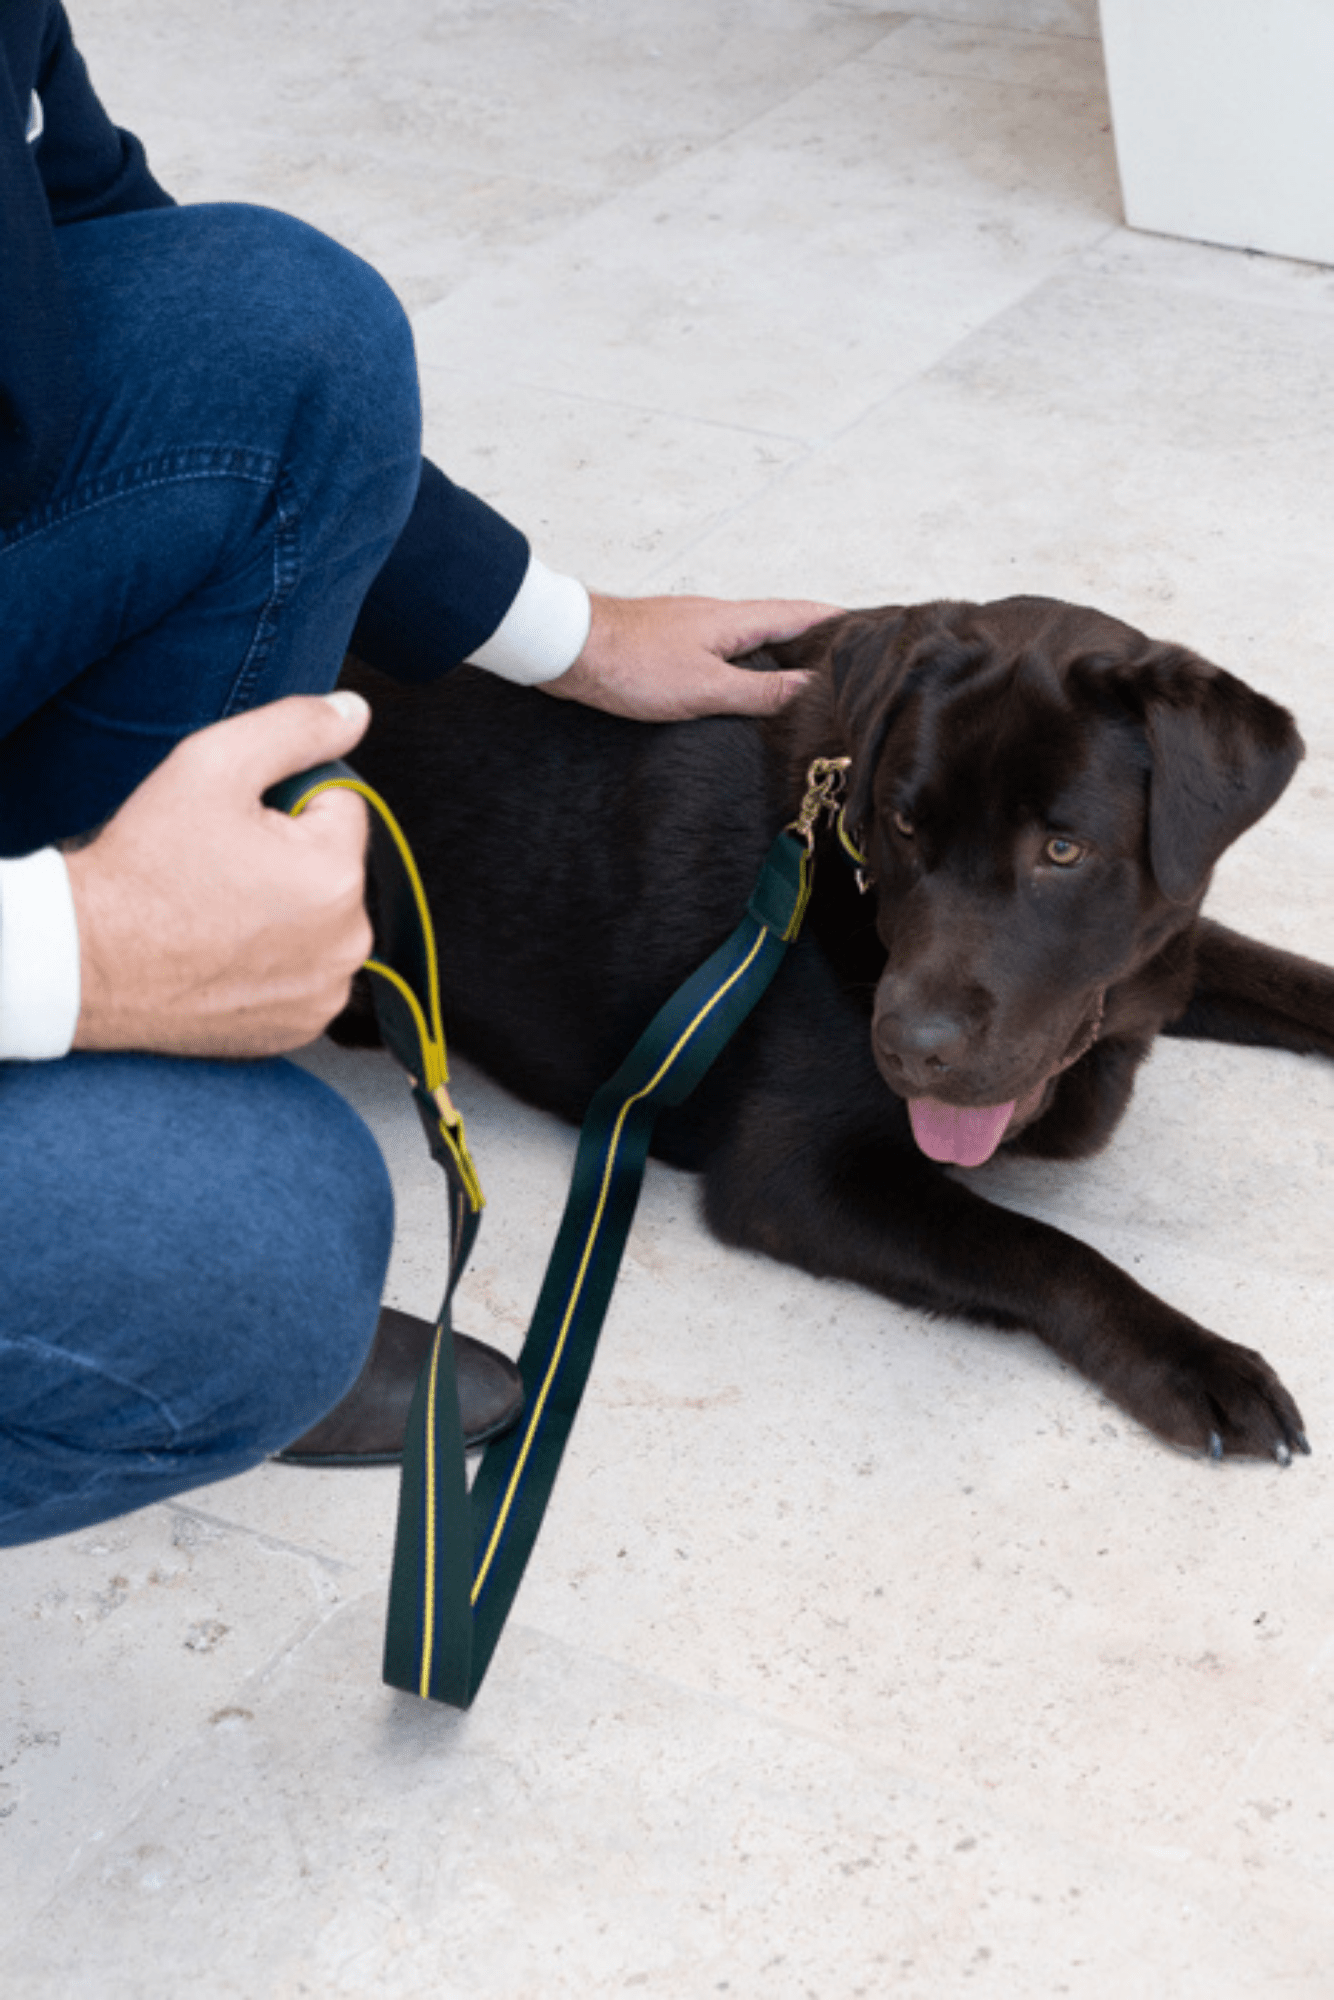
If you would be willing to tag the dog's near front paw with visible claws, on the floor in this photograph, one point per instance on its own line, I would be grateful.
(1221, 1399)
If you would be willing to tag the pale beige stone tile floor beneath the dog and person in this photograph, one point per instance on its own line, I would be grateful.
(861, 1655)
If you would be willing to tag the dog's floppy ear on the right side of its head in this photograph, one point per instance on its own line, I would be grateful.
(1221, 757)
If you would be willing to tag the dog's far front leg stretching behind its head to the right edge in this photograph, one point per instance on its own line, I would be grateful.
(1255, 993)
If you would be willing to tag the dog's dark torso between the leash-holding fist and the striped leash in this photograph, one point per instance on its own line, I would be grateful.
(579, 865)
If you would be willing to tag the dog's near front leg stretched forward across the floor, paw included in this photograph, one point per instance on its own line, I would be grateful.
(869, 1213)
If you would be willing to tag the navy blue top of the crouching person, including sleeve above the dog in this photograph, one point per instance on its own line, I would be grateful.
(457, 567)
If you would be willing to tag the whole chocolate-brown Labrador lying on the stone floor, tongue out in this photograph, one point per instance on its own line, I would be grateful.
(1039, 795)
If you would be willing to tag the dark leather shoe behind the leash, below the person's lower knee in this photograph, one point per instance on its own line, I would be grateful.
(367, 1429)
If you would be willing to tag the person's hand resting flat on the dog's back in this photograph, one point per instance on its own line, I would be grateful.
(667, 659)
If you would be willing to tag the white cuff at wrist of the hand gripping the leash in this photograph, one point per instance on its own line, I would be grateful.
(39, 959)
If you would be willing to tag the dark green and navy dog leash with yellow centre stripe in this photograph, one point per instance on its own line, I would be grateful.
(461, 1555)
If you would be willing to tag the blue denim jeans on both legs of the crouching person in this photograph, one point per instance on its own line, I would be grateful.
(191, 1253)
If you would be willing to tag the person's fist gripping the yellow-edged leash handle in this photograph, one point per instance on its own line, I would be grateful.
(209, 923)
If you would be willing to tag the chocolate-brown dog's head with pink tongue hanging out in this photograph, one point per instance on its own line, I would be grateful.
(1041, 795)
